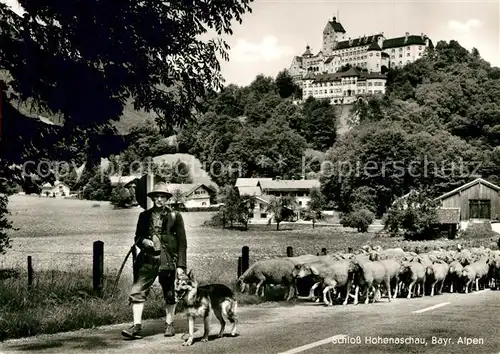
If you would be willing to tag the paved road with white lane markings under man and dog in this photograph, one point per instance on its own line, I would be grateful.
(309, 328)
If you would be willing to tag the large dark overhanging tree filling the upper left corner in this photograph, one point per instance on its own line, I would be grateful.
(152, 56)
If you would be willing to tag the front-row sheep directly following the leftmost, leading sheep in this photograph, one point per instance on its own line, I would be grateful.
(333, 275)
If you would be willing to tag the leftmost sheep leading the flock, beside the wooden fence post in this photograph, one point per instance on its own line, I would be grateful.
(269, 271)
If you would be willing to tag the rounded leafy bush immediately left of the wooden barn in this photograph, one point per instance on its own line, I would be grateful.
(415, 215)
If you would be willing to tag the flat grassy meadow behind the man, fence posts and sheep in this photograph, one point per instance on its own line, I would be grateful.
(59, 235)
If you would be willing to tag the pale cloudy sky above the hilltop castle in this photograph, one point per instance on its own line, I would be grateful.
(276, 30)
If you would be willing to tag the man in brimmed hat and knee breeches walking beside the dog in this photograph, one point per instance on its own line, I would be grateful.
(161, 237)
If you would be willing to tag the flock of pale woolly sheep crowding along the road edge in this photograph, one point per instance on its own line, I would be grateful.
(400, 272)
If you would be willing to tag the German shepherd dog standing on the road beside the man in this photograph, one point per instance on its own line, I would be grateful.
(199, 300)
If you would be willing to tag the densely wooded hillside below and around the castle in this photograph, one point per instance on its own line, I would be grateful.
(436, 127)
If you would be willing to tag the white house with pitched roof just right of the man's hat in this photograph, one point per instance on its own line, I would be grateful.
(192, 195)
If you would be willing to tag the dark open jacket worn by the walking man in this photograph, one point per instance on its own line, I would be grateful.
(173, 238)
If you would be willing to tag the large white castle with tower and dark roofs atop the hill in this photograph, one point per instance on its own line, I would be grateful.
(370, 57)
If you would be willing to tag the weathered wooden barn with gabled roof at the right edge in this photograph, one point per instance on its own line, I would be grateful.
(476, 200)
